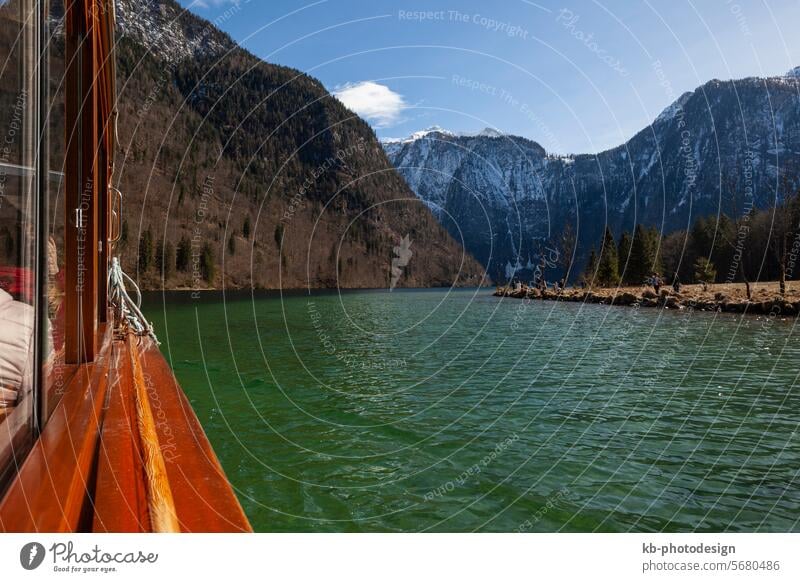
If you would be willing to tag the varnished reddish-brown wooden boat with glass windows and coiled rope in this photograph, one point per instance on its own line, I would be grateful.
(96, 434)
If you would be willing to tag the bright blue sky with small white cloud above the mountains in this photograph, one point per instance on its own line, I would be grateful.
(576, 76)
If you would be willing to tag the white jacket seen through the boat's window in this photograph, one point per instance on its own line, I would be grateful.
(16, 349)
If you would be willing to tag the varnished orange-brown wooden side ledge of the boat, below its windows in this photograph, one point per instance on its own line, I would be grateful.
(102, 464)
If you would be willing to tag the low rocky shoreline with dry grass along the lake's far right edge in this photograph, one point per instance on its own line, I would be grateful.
(765, 298)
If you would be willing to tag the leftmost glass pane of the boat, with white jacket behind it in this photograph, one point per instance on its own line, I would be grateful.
(18, 228)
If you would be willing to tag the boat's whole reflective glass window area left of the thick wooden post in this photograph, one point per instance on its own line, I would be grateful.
(31, 373)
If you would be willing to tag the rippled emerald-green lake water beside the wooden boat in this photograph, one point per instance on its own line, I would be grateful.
(459, 411)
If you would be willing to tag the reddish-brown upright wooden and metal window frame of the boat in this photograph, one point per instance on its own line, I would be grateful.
(89, 112)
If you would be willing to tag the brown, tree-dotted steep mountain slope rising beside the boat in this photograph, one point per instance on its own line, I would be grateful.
(257, 170)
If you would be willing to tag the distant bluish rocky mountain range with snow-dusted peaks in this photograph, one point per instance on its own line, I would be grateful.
(722, 148)
